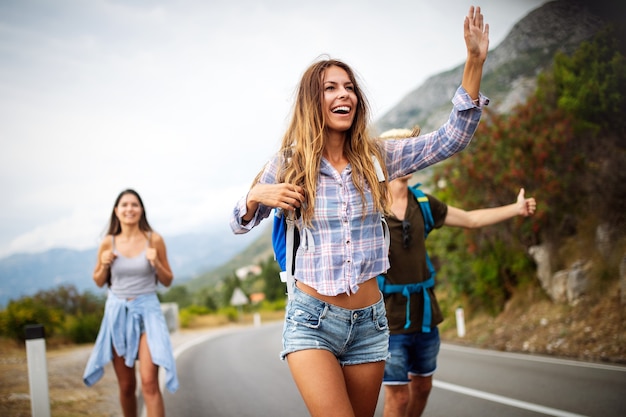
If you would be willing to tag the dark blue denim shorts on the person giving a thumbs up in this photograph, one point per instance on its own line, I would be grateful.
(412, 353)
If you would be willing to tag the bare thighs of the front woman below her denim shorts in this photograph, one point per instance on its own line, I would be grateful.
(330, 390)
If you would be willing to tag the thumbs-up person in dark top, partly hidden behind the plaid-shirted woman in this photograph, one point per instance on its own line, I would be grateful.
(414, 341)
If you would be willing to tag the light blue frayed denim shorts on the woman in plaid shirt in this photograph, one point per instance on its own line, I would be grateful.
(353, 336)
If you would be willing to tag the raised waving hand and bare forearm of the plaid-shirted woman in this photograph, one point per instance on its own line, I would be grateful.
(476, 34)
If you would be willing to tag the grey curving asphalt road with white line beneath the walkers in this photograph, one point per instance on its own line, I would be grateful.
(237, 373)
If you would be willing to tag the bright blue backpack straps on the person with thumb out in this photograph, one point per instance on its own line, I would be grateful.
(408, 289)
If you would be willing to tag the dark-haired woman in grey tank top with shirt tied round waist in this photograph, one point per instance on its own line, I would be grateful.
(132, 261)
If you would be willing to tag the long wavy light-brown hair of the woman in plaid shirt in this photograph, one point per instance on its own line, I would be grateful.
(303, 143)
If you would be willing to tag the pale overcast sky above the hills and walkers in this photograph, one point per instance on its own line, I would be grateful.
(185, 100)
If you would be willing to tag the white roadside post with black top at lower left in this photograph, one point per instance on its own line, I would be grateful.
(37, 370)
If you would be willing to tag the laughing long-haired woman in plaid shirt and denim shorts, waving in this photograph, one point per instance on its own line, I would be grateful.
(335, 336)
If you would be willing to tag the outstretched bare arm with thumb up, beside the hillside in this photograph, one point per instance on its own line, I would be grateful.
(484, 217)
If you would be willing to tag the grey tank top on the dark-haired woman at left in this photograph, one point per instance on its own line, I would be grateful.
(131, 277)
